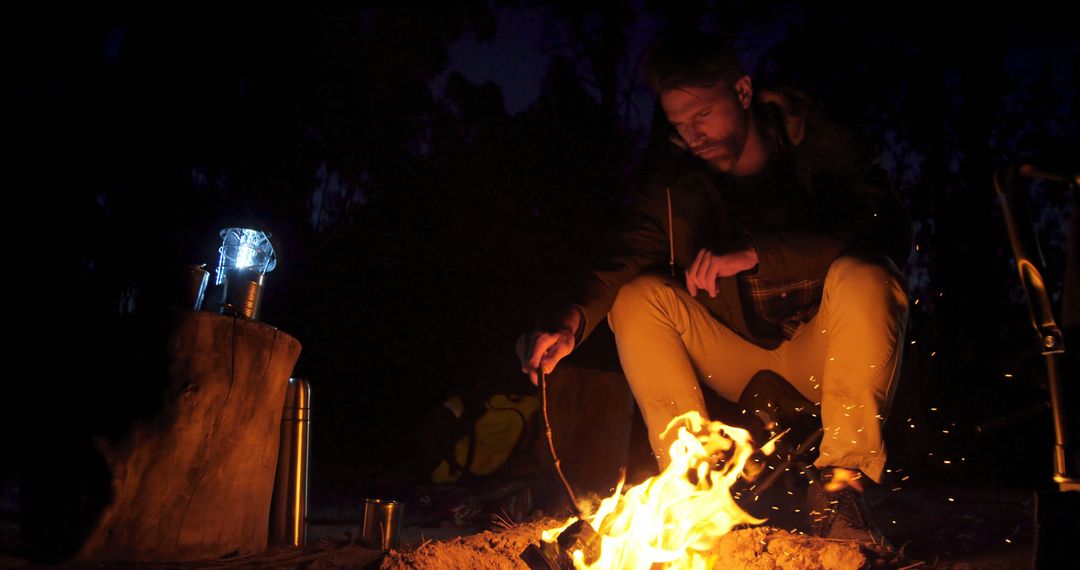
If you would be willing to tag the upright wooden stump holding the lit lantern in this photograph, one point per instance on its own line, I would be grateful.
(196, 481)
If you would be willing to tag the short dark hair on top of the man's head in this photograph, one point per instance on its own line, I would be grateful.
(696, 60)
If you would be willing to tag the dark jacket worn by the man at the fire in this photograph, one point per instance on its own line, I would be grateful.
(818, 198)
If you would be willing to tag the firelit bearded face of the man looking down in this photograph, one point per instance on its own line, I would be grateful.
(713, 121)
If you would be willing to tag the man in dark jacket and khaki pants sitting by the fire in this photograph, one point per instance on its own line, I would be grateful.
(780, 249)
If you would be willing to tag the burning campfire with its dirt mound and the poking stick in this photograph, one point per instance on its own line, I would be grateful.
(688, 517)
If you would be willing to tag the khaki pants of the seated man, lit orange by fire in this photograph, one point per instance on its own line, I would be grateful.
(847, 358)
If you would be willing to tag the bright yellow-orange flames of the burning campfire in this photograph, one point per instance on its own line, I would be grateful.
(674, 519)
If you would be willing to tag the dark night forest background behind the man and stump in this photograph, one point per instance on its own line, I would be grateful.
(422, 225)
